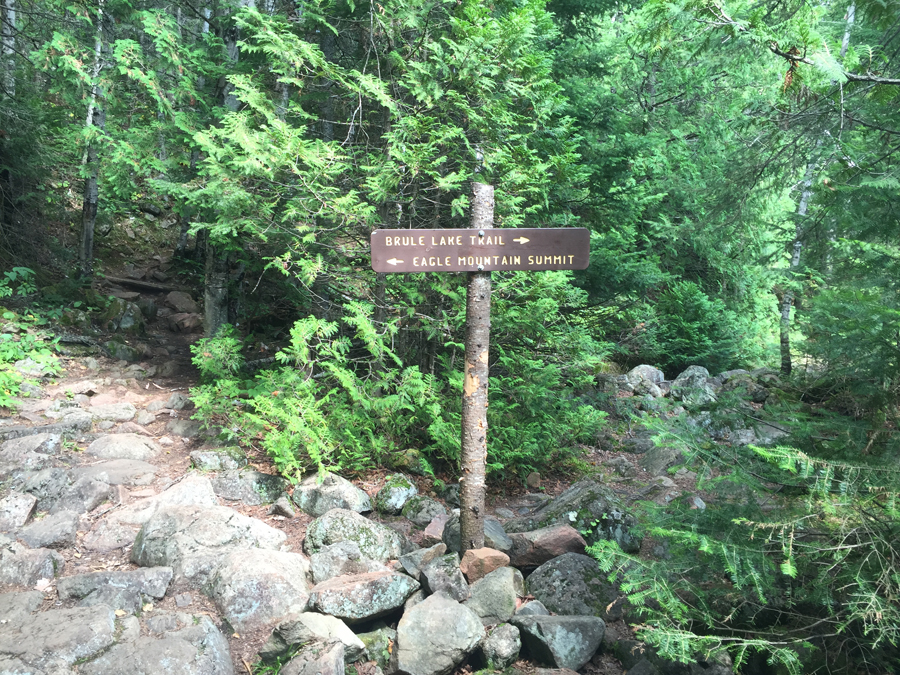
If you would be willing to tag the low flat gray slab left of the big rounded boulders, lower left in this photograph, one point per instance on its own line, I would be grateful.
(119, 590)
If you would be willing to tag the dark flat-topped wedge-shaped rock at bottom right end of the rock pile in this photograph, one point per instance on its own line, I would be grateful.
(561, 641)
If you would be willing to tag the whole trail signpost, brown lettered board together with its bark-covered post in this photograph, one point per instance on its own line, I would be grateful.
(478, 251)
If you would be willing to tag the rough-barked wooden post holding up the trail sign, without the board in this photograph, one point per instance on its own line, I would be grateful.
(475, 384)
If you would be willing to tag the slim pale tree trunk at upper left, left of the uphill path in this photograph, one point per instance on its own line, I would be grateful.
(95, 117)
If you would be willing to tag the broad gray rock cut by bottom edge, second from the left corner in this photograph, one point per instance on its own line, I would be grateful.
(196, 648)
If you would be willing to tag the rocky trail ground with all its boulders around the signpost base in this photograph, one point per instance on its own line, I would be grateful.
(130, 542)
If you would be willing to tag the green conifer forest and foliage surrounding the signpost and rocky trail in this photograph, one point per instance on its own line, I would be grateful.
(735, 163)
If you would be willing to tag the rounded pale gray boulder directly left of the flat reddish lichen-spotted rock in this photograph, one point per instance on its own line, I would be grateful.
(256, 588)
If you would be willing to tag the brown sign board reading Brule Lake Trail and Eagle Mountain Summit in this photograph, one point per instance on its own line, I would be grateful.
(469, 250)
